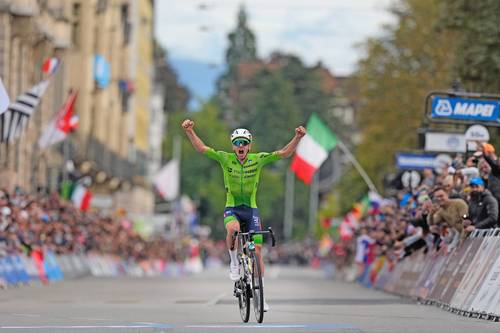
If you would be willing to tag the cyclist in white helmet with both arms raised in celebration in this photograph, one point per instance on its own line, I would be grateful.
(241, 171)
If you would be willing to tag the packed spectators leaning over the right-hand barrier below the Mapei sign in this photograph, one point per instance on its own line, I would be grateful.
(437, 215)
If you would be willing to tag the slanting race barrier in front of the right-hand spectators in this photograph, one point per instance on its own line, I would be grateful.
(466, 281)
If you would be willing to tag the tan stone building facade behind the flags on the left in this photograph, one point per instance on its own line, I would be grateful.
(106, 53)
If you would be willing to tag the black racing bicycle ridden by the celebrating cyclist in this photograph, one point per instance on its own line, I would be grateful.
(249, 286)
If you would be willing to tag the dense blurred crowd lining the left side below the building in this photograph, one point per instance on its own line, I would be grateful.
(44, 222)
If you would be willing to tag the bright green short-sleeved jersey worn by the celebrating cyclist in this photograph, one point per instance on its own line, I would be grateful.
(241, 180)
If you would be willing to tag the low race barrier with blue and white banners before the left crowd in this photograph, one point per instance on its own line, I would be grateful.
(20, 269)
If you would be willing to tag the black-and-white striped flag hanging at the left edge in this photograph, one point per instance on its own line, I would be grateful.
(14, 120)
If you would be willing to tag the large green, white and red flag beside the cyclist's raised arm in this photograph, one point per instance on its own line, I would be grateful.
(313, 149)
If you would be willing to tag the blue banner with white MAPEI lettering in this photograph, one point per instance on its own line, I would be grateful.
(468, 109)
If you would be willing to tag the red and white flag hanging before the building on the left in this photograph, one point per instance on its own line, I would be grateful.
(63, 123)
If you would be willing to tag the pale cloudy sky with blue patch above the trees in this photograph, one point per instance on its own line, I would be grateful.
(195, 32)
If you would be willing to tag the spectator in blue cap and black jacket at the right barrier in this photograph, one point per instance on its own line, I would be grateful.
(483, 207)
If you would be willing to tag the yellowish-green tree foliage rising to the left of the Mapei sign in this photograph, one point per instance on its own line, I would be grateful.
(393, 79)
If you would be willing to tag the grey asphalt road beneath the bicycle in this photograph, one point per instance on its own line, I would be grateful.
(301, 300)
